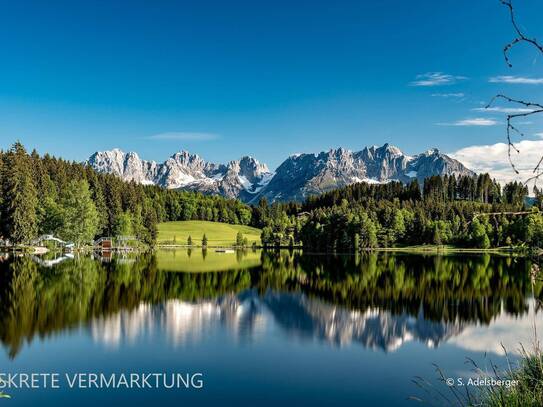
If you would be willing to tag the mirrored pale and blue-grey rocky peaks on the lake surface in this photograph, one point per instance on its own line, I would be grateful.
(248, 315)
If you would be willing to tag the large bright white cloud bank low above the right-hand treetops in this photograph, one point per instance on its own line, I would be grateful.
(493, 159)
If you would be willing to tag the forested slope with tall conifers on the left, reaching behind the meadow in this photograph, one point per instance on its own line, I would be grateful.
(47, 195)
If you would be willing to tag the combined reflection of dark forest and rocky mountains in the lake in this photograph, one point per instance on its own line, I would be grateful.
(379, 301)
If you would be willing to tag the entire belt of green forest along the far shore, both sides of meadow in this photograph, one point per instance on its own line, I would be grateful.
(46, 195)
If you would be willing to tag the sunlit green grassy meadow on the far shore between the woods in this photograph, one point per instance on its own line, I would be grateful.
(218, 234)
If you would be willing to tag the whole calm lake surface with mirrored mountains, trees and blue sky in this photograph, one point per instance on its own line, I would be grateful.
(263, 328)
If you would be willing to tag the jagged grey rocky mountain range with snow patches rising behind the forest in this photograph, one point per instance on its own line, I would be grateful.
(298, 177)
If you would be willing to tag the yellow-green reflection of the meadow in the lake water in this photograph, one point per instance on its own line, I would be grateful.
(194, 261)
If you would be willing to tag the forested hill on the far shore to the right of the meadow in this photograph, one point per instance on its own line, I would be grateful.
(466, 211)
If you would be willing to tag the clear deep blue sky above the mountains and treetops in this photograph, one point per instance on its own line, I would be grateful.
(224, 79)
